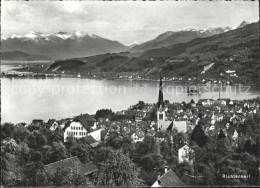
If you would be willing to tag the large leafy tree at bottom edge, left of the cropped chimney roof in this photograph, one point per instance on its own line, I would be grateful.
(118, 170)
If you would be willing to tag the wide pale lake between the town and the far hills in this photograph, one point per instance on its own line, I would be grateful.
(23, 100)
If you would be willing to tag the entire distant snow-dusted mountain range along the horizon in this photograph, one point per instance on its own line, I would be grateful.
(64, 45)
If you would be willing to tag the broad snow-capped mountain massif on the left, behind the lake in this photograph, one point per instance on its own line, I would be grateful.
(61, 45)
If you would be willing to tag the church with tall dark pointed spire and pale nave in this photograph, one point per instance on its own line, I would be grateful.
(163, 124)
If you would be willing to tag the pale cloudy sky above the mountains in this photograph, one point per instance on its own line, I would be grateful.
(125, 21)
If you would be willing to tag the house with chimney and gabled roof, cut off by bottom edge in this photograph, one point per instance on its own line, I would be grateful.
(168, 179)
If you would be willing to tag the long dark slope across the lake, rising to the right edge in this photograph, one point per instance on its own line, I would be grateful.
(236, 50)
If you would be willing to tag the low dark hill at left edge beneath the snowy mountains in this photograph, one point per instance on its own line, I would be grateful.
(21, 56)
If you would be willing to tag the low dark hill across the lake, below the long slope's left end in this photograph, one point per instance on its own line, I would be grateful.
(106, 63)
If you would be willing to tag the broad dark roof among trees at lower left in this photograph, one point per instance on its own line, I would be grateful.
(70, 164)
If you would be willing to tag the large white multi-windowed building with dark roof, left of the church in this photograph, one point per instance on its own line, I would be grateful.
(82, 126)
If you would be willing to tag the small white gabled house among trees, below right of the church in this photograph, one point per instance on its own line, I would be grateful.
(186, 154)
